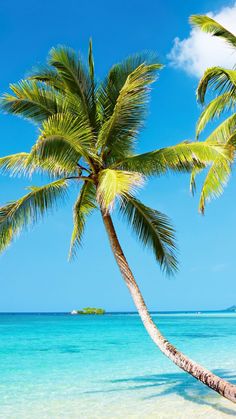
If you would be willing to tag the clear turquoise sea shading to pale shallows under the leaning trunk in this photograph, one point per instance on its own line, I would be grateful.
(62, 366)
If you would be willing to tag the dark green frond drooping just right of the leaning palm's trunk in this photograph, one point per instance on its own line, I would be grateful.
(153, 229)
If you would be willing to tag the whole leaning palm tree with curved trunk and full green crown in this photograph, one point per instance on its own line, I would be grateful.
(87, 134)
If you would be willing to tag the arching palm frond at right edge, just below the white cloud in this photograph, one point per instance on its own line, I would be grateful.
(217, 78)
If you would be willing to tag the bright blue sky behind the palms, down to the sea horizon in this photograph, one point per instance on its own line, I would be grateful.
(34, 272)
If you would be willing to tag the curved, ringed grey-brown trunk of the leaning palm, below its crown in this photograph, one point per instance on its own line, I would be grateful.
(216, 383)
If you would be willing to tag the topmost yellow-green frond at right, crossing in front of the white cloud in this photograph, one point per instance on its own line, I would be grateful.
(209, 25)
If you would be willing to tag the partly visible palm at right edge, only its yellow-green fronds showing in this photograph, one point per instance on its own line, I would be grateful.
(223, 82)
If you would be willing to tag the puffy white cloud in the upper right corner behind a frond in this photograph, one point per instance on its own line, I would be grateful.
(200, 50)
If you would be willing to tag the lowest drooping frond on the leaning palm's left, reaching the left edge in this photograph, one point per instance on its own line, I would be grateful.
(28, 209)
